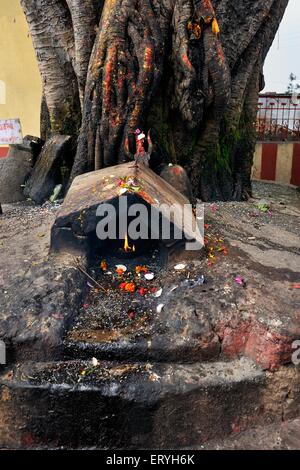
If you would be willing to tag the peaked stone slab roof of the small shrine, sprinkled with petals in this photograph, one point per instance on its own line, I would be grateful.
(88, 191)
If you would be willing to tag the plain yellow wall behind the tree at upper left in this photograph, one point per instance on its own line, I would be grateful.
(18, 69)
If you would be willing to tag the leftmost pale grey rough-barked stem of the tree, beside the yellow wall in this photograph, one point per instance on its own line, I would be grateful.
(53, 39)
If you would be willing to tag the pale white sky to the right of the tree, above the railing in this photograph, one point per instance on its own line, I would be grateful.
(284, 56)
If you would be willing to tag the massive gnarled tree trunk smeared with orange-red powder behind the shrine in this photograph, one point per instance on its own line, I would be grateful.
(159, 64)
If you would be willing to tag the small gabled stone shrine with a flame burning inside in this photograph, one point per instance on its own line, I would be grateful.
(102, 208)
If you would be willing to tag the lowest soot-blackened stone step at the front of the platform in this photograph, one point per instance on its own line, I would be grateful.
(134, 405)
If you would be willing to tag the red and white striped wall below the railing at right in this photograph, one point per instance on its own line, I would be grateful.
(277, 161)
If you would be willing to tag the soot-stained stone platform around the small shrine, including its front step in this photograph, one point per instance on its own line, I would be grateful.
(214, 325)
